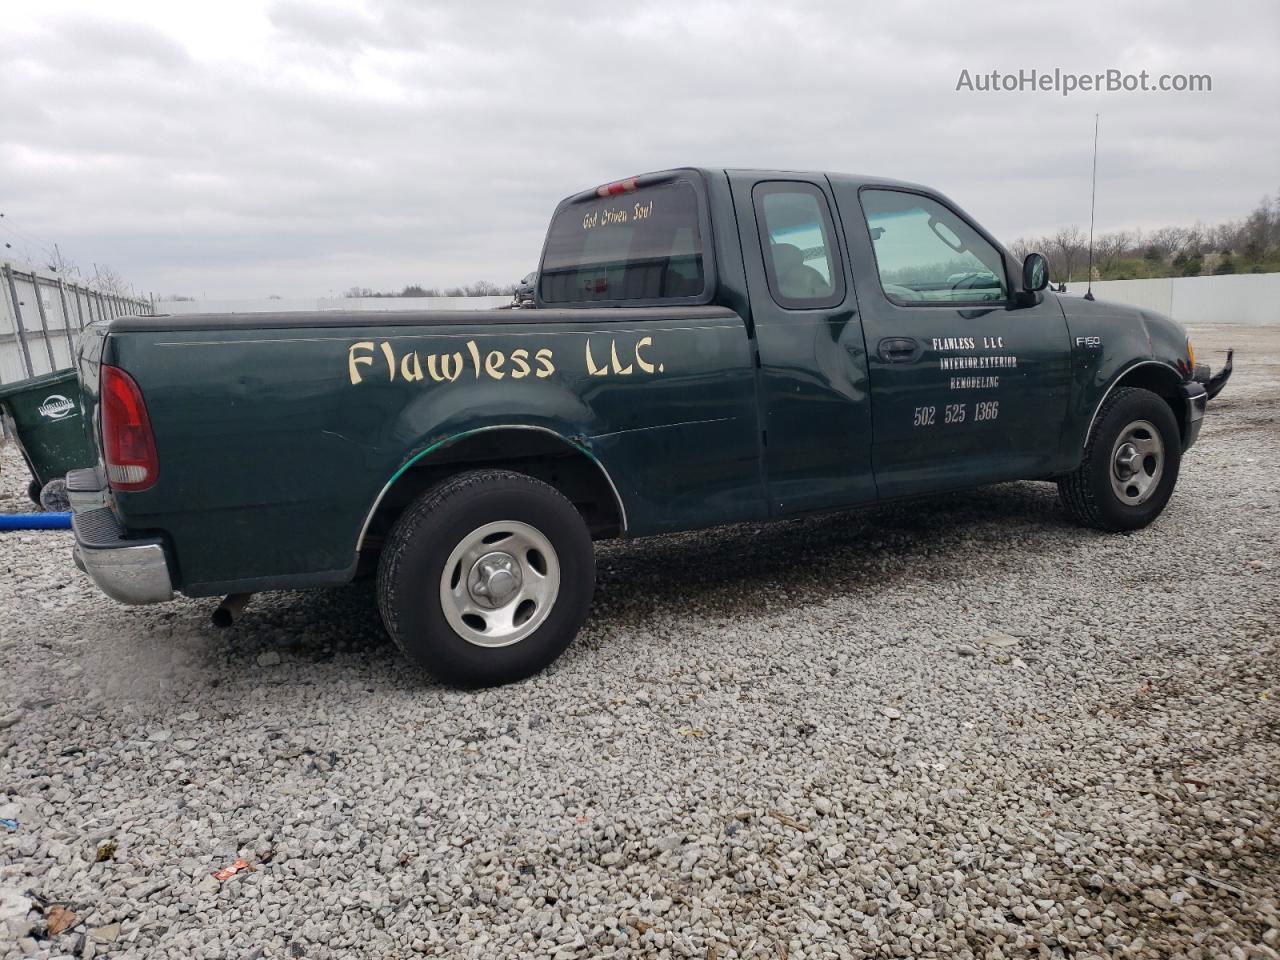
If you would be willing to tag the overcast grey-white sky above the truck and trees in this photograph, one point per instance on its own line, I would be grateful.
(300, 148)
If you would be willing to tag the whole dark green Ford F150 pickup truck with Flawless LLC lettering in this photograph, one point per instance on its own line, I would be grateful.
(708, 348)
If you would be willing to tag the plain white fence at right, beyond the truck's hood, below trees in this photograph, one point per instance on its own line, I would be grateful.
(1232, 299)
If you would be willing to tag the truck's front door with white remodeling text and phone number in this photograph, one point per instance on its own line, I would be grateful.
(968, 387)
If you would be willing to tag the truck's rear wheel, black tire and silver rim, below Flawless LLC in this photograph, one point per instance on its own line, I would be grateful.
(487, 578)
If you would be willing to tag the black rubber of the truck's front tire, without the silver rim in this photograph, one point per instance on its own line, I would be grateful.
(1089, 493)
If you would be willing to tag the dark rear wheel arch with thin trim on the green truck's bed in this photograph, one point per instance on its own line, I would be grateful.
(537, 451)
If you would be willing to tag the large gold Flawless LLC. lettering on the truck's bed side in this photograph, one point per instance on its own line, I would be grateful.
(368, 359)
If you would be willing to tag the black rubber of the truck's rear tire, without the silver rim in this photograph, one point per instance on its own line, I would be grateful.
(420, 545)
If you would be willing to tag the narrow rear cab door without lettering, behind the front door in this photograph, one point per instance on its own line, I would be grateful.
(812, 386)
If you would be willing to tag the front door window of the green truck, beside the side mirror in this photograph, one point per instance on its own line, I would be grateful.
(929, 254)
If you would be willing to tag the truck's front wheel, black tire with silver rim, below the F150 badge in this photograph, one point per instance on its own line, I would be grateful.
(1130, 467)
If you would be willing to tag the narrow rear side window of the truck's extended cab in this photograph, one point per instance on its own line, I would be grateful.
(798, 243)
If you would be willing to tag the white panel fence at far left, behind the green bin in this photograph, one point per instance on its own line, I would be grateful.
(42, 319)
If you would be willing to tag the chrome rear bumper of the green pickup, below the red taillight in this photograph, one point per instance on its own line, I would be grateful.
(130, 572)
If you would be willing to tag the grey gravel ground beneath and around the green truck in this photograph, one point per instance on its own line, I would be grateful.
(961, 729)
